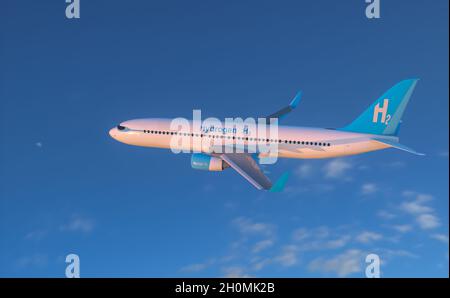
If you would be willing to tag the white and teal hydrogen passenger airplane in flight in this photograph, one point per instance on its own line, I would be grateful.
(375, 129)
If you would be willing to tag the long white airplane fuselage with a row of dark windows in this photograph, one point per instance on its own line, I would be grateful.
(292, 142)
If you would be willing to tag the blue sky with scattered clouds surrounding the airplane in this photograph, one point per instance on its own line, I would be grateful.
(67, 187)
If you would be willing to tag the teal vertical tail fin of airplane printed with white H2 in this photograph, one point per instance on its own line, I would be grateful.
(383, 117)
